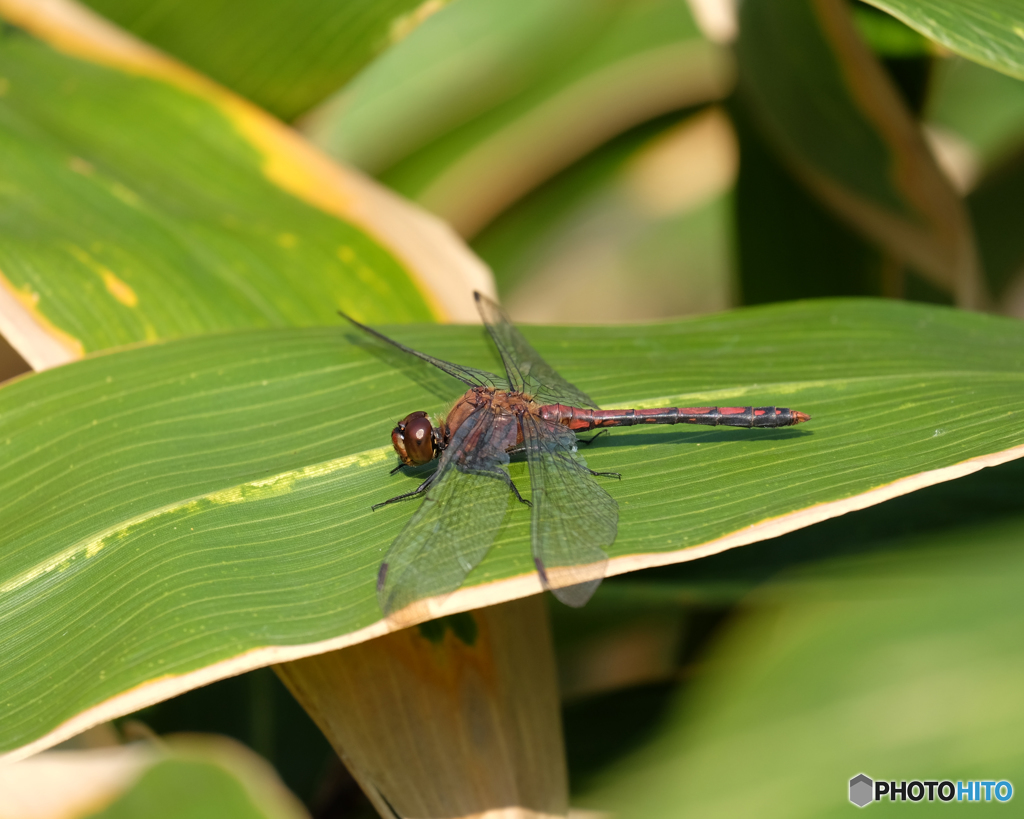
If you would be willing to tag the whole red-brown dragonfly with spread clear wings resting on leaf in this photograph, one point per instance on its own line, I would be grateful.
(531, 411)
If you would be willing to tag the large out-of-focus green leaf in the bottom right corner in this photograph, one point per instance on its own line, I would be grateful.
(903, 665)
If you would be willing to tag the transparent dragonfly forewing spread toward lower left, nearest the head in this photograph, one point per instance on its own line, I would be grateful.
(457, 524)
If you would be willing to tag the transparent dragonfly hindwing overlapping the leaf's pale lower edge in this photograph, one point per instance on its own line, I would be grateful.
(573, 519)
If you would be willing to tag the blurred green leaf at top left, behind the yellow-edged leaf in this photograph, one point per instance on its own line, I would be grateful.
(284, 57)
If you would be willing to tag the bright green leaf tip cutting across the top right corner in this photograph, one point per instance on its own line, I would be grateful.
(990, 32)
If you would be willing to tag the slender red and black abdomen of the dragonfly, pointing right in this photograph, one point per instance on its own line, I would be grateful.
(581, 420)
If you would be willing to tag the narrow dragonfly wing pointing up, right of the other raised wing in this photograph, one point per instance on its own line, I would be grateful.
(527, 370)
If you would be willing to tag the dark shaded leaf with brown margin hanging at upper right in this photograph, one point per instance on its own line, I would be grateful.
(825, 103)
